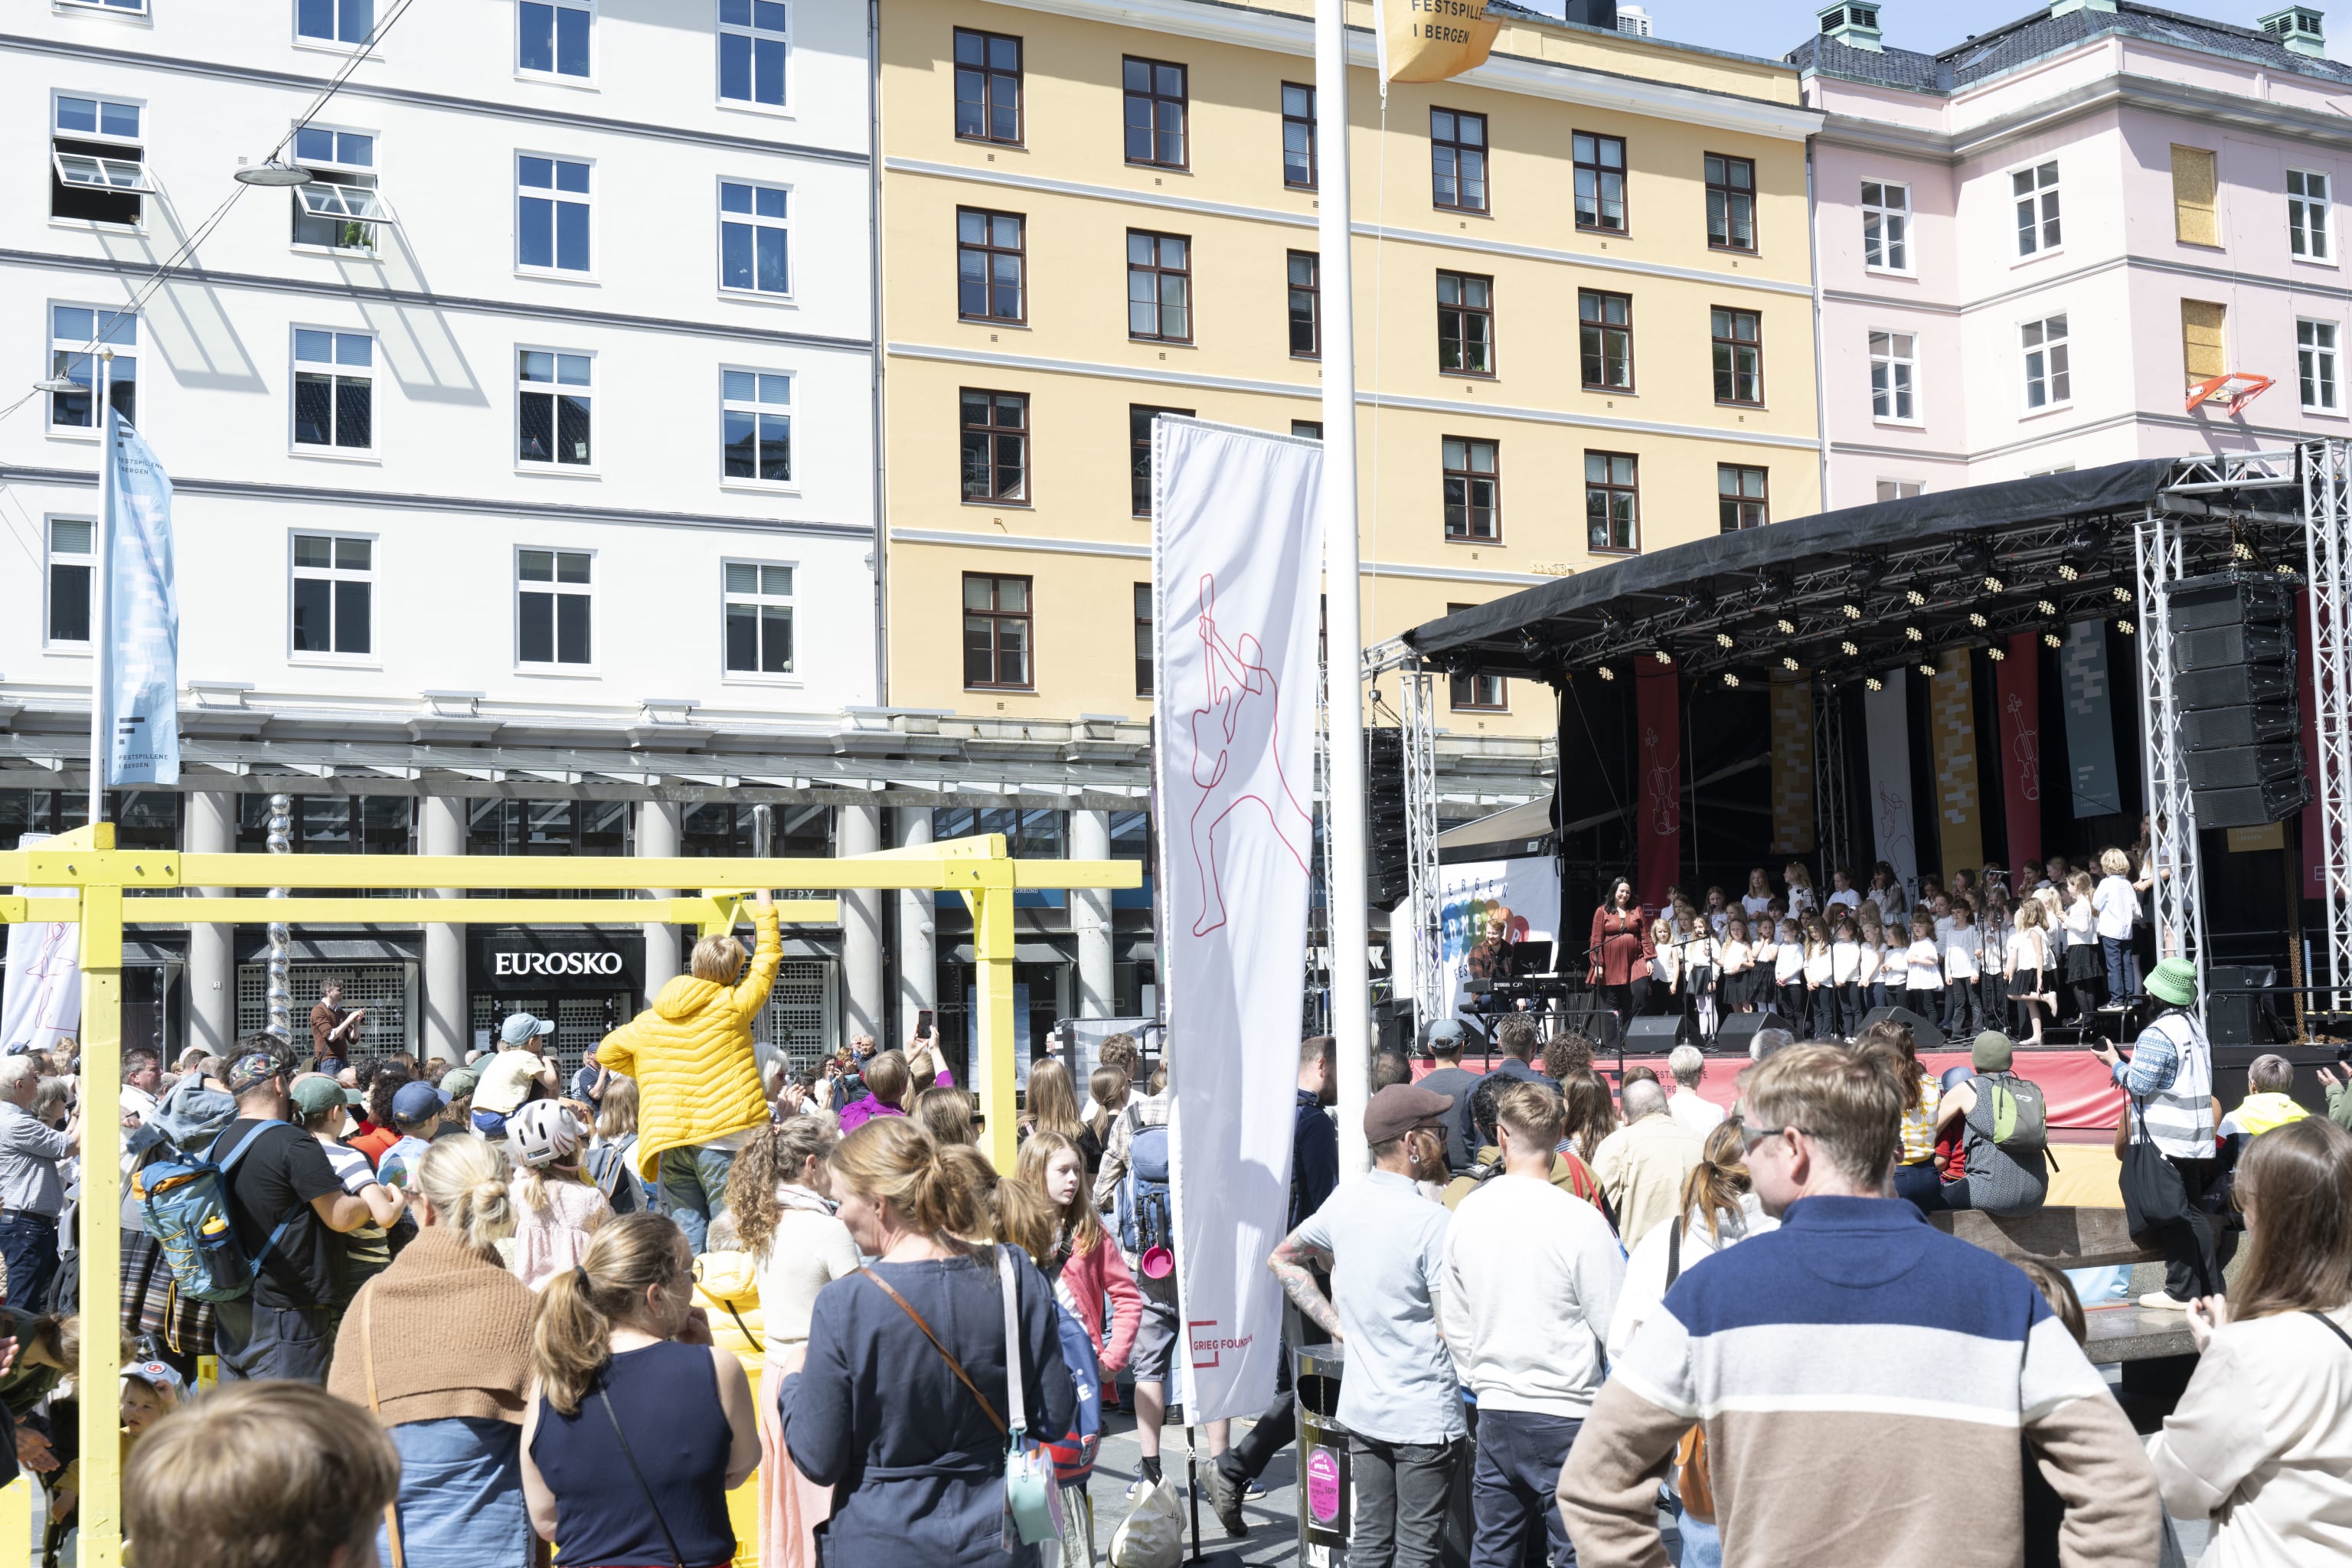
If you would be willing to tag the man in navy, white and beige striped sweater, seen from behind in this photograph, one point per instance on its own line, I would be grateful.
(1862, 1379)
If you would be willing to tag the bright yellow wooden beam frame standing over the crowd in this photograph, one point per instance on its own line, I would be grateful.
(126, 887)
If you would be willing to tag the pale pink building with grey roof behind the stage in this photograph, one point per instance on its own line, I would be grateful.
(2033, 246)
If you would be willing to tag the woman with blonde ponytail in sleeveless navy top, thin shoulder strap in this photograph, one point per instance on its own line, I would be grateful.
(639, 1428)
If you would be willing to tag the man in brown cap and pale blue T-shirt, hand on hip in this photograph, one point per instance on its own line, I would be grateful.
(1384, 1247)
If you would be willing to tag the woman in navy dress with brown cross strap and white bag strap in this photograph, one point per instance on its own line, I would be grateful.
(909, 1430)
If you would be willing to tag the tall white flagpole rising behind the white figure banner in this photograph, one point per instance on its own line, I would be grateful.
(1344, 634)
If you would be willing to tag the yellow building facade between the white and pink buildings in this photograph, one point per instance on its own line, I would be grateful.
(1584, 319)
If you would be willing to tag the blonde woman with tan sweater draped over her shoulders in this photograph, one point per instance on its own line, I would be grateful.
(450, 1402)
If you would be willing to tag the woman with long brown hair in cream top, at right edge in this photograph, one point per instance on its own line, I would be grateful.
(2261, 1440)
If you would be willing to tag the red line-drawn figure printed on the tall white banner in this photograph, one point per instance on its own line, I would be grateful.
(1236, 760)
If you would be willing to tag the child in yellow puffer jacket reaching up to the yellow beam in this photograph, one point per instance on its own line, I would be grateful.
(697, 1078)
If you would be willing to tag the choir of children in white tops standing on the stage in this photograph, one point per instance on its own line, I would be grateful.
(2054, 946)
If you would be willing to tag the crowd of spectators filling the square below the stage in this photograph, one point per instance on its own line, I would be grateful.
(495, 1308)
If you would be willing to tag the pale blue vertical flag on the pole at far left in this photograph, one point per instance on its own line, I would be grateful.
(142, 617)
